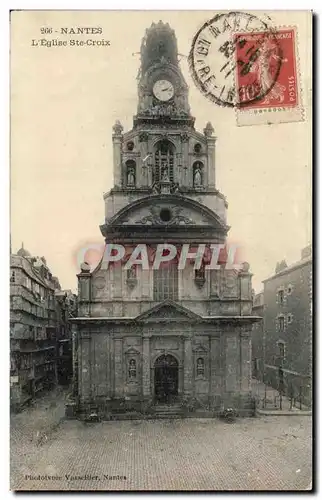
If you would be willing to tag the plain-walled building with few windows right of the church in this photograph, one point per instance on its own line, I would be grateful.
(287, 328)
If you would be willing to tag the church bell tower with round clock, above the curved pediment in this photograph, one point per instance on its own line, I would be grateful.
(162, 153)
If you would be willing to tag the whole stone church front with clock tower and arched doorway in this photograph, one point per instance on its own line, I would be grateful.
(147, 336)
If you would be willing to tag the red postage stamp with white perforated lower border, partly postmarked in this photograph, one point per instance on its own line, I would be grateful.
(267, 77)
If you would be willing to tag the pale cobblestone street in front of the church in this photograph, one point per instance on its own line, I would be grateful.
(194, 454)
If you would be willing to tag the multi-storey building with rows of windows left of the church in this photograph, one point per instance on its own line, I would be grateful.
(38, 328)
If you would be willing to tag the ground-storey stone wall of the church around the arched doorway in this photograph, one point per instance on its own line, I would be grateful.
(105, 353)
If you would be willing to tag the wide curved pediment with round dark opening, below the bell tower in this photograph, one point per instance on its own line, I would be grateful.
(167, 210)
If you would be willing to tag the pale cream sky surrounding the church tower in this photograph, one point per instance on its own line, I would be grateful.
(64, 102)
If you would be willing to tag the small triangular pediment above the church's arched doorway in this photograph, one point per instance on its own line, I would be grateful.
(168, 311)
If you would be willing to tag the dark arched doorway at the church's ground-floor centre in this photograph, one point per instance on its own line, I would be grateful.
(166, 378)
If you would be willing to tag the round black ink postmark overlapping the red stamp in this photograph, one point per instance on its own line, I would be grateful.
(235, 59)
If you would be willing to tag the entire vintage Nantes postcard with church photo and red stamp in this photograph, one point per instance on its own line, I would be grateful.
(161, 256)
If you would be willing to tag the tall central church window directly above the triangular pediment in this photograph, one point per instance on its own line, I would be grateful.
(165, 283)
